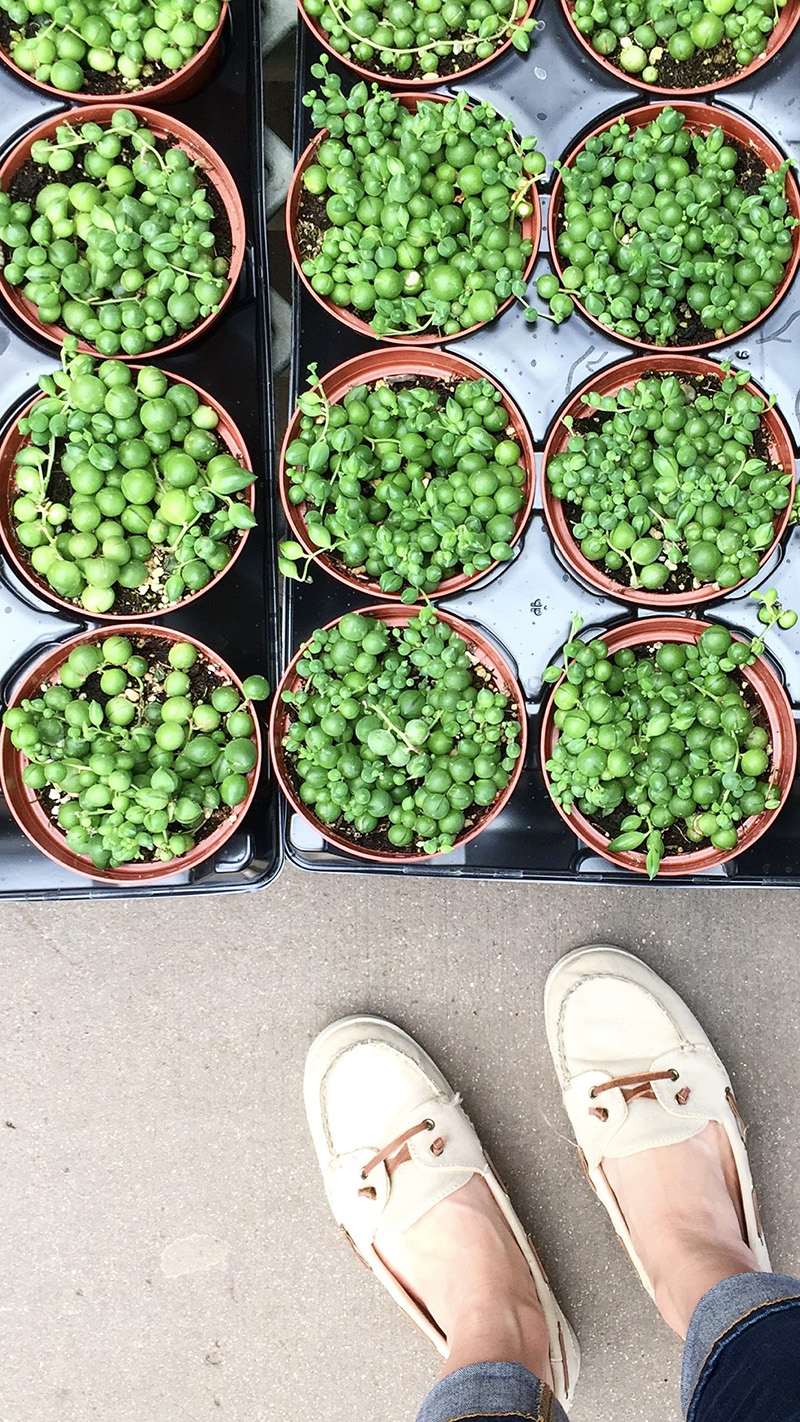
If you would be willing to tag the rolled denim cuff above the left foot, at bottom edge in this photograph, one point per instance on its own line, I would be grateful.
(487, 1390)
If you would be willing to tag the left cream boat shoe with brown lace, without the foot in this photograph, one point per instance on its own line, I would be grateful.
(393, 1141)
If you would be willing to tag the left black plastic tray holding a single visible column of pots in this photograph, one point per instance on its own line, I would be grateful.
(239, 616)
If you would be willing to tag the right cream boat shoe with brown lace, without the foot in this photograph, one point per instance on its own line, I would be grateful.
(637, 1071)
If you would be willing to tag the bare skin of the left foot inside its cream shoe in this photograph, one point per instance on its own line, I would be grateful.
(465, 1268)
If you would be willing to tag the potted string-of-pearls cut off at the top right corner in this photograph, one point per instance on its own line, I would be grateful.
(683, 53)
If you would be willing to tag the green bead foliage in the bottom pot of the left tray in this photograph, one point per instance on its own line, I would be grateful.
(129, 756)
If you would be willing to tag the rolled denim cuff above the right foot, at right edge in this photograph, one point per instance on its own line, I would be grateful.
(723, 1309)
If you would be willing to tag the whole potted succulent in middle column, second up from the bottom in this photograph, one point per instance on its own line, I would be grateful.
(406, 473)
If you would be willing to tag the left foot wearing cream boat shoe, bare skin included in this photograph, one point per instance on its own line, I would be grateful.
(409, 1181)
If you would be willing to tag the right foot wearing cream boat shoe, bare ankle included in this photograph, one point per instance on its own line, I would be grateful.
(657, 1124)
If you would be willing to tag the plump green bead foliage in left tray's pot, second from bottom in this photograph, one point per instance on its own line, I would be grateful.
(154, 498)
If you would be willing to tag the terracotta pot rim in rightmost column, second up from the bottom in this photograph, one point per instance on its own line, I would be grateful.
(609, 383)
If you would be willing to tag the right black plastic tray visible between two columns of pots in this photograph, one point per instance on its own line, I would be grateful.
(559, 95)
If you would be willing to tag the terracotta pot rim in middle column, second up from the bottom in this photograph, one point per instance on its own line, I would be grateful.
(386, 366)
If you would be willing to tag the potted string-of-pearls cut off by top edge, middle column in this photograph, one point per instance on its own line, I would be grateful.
(413, 45)
